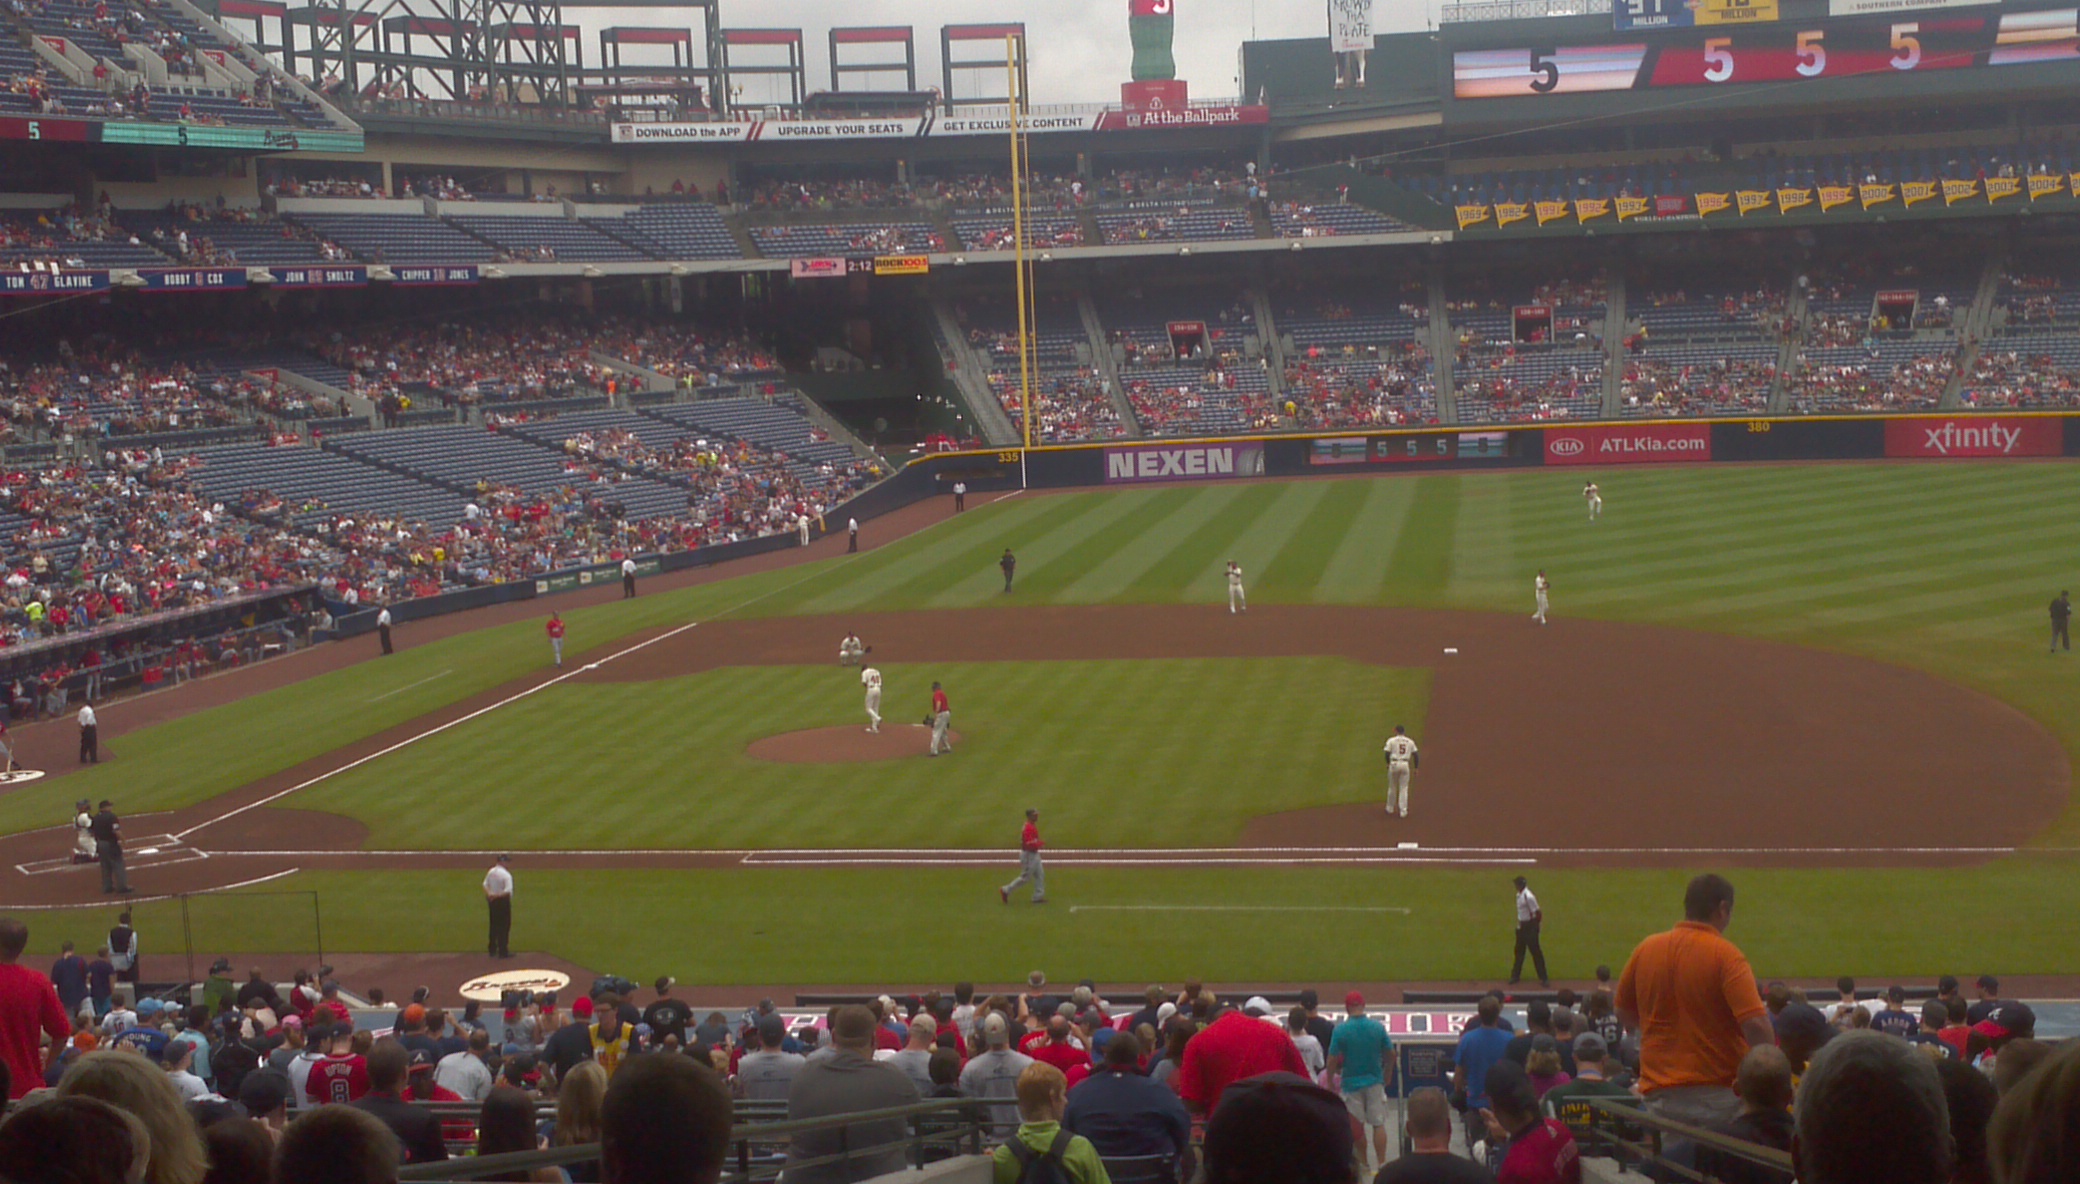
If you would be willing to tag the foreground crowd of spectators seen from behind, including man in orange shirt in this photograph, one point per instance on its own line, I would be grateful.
(251, 1083)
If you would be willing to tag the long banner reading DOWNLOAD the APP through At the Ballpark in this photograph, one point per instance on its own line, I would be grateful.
(933, 126)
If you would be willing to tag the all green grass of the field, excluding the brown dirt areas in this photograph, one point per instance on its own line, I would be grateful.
(1944, 567)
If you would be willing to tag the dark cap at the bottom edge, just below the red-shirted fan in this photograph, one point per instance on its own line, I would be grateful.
(1278, 1127)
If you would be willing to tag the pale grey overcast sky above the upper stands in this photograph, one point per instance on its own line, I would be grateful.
(1078, 49)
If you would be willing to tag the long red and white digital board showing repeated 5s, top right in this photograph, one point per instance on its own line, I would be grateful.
(1678, 47)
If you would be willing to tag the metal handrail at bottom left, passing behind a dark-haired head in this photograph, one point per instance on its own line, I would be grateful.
(974, 1116)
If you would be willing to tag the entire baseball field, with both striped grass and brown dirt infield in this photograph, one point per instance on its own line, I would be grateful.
(1829, 681)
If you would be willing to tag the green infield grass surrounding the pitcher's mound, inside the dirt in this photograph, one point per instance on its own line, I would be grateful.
(1093, 744)
